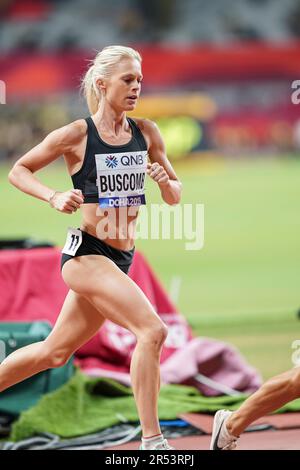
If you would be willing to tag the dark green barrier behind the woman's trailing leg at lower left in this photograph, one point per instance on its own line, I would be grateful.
(25, 394)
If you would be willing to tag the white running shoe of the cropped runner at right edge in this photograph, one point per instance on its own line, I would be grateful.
(221, 439)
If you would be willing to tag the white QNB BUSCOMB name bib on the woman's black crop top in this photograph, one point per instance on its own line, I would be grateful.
(121, 178)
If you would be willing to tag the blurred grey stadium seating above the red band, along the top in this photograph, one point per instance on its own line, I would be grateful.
(69, 24)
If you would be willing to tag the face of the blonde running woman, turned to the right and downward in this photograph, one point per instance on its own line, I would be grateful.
(123, 88)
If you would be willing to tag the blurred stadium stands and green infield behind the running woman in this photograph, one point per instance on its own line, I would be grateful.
(218, 81)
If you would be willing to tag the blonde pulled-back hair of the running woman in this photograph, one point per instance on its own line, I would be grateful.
(102, 67)
